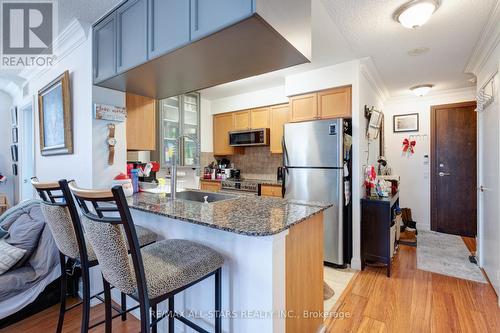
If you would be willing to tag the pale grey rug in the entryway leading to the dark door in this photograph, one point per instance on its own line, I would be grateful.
(446, 254)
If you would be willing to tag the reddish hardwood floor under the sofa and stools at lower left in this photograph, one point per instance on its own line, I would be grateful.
(46, 321)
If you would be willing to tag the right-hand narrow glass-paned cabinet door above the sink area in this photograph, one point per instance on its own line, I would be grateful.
(191, 125)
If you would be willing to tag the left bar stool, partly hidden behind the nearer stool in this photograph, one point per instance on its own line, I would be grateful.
(61, 215)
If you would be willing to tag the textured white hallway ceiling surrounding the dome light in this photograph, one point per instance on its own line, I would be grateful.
(450, 35)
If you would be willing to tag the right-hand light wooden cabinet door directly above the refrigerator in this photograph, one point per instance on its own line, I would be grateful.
(335, 103)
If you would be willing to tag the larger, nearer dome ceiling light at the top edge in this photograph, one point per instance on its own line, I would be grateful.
(415, 13)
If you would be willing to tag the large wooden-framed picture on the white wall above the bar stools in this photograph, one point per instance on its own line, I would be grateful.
(55, 117)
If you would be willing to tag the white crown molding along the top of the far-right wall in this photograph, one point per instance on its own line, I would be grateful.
(488, 41)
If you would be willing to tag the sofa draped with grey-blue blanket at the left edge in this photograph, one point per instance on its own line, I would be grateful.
(31, 284)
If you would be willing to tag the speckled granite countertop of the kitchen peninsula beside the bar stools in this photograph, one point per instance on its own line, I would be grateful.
(247, 215)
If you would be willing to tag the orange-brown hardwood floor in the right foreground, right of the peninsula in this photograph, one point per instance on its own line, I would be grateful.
(413, 300)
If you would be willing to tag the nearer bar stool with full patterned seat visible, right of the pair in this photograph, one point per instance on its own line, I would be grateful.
(150, 275)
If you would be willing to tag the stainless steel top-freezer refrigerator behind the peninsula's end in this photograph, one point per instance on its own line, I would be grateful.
(313, 160)
